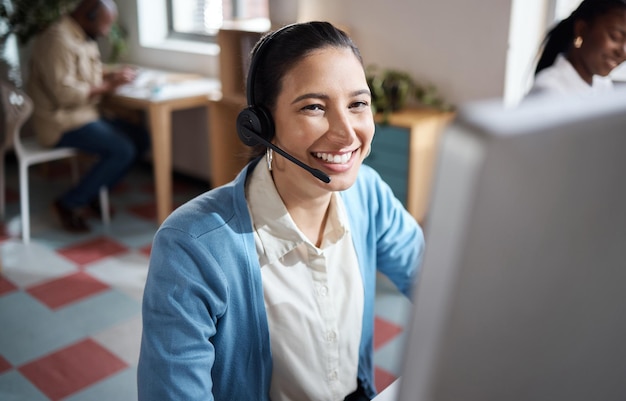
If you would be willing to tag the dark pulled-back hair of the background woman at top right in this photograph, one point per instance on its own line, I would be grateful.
(560, 38)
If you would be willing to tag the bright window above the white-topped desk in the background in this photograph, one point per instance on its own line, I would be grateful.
(202, 18)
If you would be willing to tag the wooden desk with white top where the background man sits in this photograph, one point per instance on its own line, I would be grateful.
(159, 95)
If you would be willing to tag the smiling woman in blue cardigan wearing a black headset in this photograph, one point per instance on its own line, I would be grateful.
(270, 280)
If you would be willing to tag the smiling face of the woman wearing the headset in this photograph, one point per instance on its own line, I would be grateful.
(323, 117)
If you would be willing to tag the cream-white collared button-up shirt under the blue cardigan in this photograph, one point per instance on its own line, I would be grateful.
(313, 297)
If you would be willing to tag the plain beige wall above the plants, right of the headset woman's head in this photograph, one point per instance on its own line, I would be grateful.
(459, 45)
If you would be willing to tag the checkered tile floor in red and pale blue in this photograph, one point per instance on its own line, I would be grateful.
(70, 305)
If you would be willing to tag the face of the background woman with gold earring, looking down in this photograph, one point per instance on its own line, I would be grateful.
(604, 44)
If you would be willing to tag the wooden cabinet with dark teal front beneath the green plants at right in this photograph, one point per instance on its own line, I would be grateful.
(404, 153)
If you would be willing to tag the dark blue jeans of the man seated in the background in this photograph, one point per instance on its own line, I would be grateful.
(116, 143)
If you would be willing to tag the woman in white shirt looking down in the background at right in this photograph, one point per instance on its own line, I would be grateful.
(581, 51)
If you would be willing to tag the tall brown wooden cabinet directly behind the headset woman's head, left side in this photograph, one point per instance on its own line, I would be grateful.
(228, 154)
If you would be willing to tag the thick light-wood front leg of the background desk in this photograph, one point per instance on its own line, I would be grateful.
(161, 130)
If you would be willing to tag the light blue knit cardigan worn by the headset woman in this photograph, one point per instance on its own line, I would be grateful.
(205, 330)
